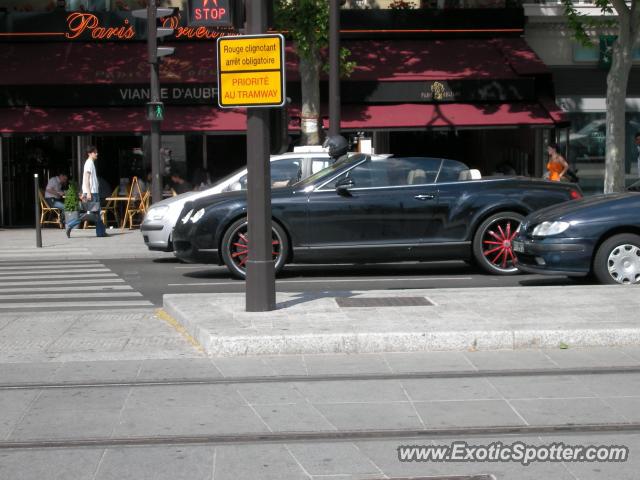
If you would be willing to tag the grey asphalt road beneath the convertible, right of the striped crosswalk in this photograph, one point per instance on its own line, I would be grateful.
(155, 278)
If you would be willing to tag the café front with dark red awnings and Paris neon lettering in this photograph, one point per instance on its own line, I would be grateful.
(453, 79)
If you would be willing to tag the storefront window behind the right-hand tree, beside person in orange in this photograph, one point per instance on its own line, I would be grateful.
(587, 142)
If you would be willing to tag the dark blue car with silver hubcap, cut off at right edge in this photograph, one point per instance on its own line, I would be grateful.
(597, 235)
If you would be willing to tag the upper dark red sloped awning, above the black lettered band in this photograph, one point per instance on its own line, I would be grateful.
(59, 63)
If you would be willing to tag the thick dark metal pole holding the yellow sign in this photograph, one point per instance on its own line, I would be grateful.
(261, 283)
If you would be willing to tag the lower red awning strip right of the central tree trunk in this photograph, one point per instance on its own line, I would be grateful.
(446, 115)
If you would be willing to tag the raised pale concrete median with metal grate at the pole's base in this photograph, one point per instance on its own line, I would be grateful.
(458, 319)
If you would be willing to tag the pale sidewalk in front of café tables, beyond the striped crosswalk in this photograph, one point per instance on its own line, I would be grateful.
(20, 244)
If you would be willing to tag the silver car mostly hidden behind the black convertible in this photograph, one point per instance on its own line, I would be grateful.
(159, 221)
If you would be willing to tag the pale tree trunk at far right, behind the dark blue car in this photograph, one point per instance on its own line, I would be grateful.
(617, 79)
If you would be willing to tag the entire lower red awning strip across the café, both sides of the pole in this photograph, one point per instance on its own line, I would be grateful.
(180, 119)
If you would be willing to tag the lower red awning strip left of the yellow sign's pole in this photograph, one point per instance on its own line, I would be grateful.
(119, 120)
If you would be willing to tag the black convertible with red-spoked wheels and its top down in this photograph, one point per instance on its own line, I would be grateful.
(368, 209)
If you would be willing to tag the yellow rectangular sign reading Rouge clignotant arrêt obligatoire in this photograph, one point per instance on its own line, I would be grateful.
(251, 71)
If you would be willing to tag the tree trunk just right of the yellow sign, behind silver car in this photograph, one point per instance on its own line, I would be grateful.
(310, 86)
